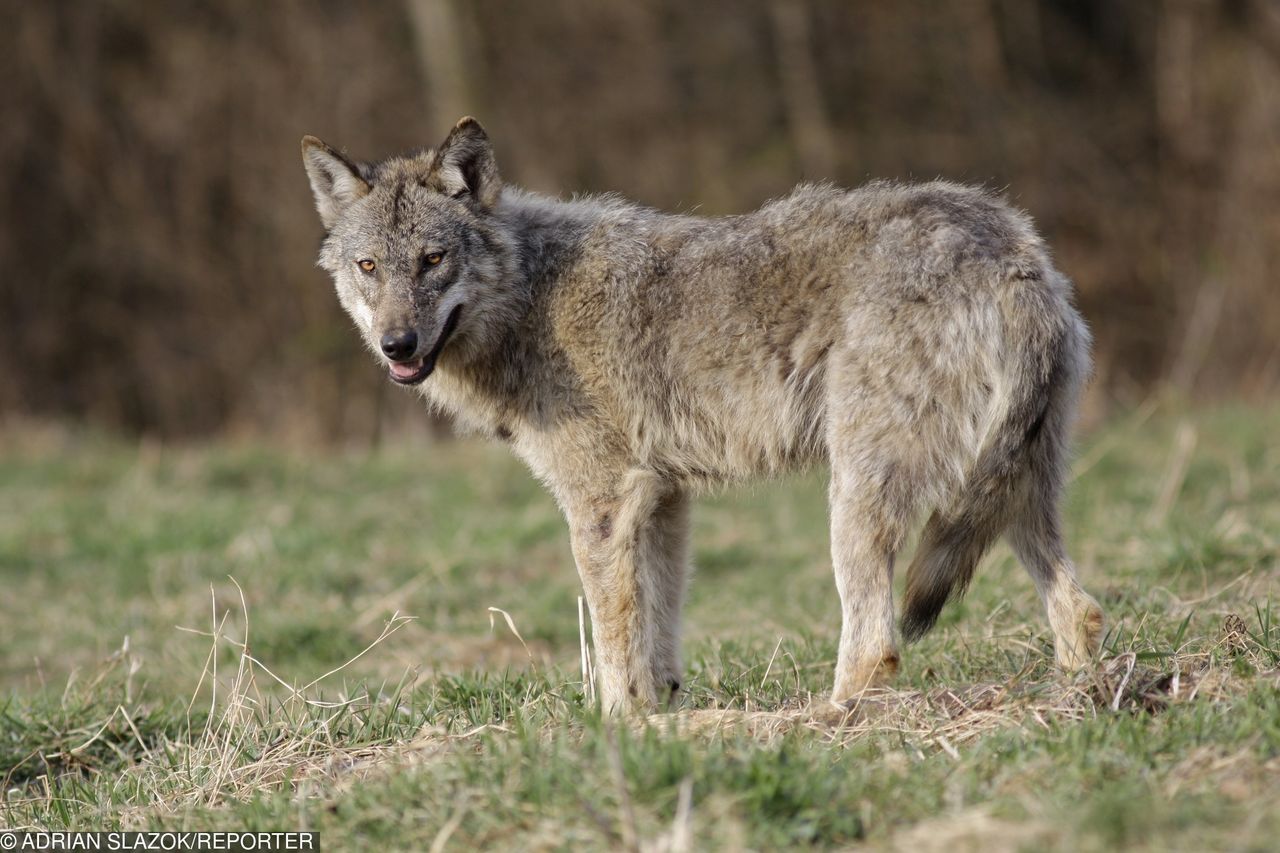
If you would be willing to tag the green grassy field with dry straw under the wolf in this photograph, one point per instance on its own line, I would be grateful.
(249, 637)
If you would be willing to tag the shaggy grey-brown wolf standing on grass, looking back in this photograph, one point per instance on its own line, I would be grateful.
(916, 339)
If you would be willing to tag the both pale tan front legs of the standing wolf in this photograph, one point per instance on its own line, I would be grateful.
(632, 554)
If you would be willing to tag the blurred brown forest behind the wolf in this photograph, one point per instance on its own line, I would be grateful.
(158, 235)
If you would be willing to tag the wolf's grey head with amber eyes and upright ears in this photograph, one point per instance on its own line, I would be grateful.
(417, 257)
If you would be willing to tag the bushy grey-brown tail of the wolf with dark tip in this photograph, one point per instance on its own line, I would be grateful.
(1044, 361)
